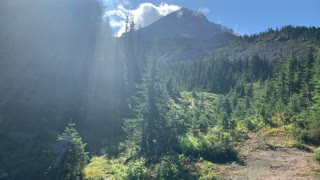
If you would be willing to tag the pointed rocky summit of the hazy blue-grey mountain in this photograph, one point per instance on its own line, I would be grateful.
(183, 23)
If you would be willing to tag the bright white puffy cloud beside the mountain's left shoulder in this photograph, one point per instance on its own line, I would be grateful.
(144, 15)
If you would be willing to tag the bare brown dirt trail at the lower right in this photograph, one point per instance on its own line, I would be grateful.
(270, 159)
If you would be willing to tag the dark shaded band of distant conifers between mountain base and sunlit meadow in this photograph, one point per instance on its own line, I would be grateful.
(218, 75)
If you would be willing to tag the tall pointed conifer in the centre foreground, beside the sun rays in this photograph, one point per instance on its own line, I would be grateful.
(151, 126)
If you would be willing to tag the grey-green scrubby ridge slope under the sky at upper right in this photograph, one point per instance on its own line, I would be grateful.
(272, 44)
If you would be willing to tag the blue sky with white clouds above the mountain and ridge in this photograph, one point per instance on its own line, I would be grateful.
(243, 16)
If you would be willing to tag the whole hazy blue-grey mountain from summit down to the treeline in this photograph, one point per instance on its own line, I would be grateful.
(182, 35)
